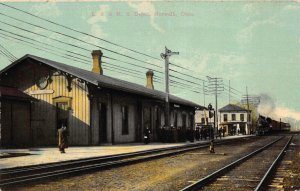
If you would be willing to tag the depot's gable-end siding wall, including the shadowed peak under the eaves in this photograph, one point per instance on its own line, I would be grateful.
(43, 116)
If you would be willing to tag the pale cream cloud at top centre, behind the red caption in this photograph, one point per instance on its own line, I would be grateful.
(147, 8)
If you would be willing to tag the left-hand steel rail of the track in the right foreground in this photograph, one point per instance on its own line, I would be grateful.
(211, 177)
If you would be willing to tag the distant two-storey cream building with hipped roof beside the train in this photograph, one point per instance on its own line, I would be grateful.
(234, 119)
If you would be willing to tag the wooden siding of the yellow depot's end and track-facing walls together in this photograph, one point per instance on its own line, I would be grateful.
(44, 113)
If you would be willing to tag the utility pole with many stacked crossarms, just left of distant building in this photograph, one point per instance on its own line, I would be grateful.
(215, 86)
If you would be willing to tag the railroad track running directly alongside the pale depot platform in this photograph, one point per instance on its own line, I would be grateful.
(11, 177)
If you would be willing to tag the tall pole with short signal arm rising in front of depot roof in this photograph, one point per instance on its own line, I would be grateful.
(166, 57)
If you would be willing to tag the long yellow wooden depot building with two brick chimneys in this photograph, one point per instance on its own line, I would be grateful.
(42, 94)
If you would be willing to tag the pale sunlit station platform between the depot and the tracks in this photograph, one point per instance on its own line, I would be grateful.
(11, 158)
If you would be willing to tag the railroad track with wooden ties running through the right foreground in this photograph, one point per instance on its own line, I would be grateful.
(251, 172)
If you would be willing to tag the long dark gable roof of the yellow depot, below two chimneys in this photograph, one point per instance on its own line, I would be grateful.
(103, 81)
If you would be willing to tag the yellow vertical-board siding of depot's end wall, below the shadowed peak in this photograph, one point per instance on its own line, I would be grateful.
(44, 122)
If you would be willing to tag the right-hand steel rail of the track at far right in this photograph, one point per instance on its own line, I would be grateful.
(263, 183)
